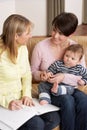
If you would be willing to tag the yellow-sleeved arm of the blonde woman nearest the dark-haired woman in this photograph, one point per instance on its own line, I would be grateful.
(26, 76)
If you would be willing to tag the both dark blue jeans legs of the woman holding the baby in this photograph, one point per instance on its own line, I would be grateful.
(73, 110)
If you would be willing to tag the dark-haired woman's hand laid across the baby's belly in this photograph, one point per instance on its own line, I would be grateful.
(56, 78)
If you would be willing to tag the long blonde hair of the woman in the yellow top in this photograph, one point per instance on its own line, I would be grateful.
(13, 24)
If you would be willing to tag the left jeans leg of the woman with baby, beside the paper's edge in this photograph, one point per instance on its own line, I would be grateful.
(67, 111)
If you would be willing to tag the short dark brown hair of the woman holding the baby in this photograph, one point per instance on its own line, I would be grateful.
(66, 23)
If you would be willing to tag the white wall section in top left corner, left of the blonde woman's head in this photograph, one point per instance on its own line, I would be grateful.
(7, 7)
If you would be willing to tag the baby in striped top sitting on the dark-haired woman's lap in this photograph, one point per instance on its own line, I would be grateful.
(70, 64)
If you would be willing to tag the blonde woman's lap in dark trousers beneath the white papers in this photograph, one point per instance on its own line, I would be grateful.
(47, 121)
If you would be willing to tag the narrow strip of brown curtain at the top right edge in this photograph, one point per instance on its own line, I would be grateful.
(84, 14)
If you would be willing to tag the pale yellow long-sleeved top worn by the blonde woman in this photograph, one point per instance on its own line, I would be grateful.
(15, 79)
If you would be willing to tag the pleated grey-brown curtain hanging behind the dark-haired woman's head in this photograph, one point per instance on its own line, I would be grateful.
(54, 7)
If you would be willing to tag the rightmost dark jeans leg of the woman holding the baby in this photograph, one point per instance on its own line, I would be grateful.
(81, 110)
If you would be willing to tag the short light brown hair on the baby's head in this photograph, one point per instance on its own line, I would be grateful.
(76, 48)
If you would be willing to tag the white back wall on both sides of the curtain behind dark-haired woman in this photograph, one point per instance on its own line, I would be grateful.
(36, 11)
